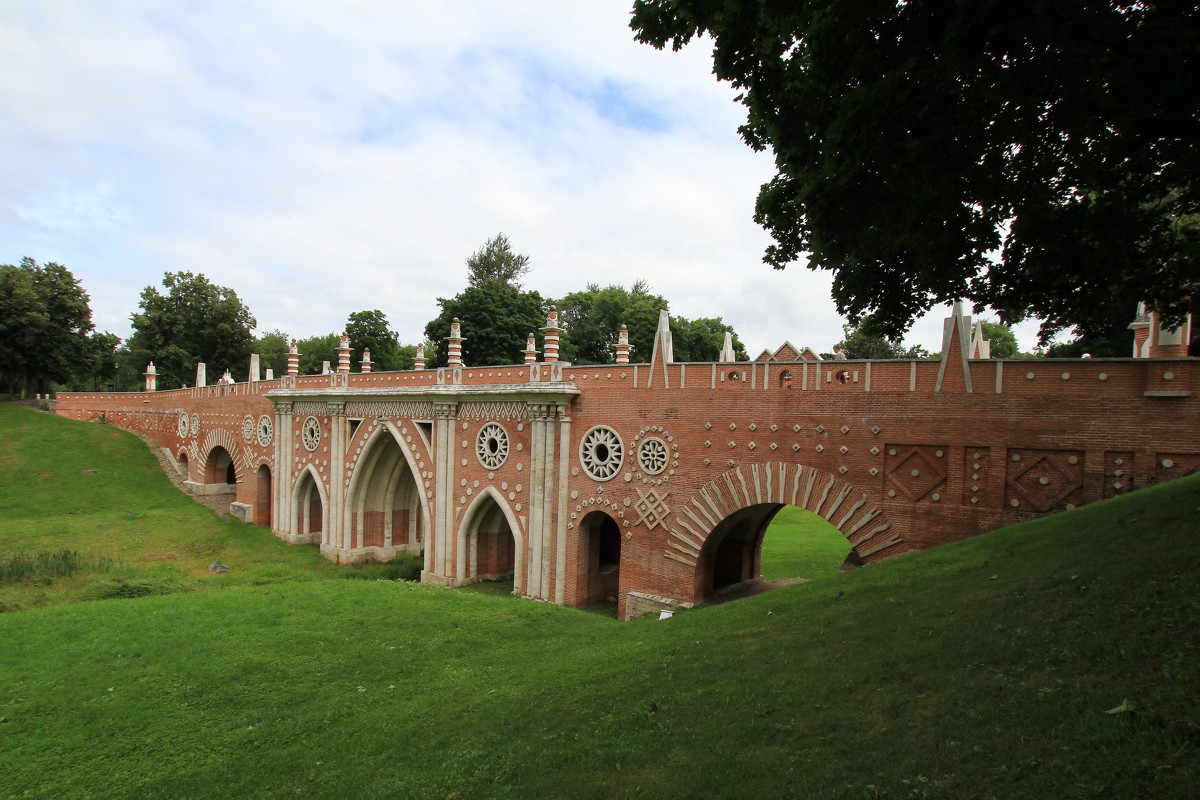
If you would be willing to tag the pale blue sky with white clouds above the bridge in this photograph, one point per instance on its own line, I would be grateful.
(323, 158)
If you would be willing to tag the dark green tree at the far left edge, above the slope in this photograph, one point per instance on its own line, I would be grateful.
(45, 326)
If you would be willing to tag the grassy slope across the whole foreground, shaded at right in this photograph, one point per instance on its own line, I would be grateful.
(1052, 660)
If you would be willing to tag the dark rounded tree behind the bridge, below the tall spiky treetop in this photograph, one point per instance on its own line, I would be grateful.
(496, 318)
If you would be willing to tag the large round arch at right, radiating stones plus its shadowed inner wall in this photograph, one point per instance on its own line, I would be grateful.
(718, 532)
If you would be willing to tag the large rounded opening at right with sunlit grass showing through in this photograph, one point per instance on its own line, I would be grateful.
(770, 543)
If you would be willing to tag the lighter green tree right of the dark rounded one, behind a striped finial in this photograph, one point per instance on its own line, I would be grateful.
(592, 321)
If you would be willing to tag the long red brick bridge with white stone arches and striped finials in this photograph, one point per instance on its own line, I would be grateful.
(655, 483)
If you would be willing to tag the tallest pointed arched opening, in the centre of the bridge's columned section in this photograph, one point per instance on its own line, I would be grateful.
(386, 509)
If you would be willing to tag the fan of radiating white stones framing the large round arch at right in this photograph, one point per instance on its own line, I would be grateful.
(849, 509)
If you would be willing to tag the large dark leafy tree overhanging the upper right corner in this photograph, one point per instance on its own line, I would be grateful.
(1036, 158)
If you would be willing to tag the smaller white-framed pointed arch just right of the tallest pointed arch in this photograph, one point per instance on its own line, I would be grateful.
(484, 537)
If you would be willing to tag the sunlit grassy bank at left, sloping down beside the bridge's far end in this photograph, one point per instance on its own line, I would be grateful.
(99, 491)
